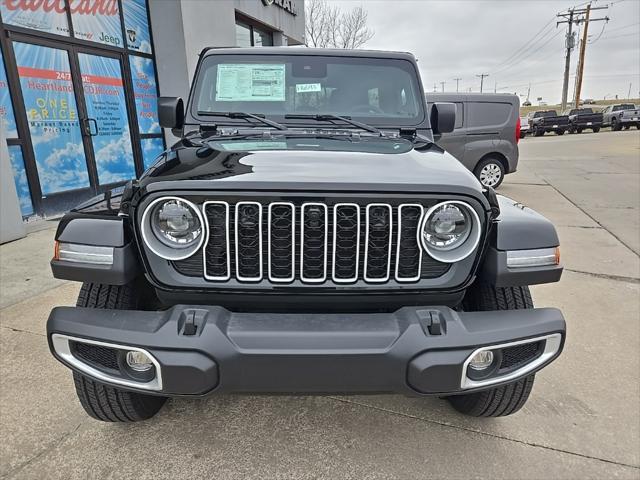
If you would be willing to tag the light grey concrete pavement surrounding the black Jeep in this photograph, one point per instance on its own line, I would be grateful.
(582, 420)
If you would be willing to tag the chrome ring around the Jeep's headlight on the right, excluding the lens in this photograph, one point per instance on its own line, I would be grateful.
(468, 244)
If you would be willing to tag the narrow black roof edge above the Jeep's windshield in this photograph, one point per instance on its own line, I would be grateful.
(304, 51)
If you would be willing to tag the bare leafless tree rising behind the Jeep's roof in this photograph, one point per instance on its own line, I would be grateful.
(327, 26)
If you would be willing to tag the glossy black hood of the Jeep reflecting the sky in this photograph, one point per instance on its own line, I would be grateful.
(201, 166)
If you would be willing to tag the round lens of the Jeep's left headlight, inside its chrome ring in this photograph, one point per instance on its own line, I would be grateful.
(176, 224)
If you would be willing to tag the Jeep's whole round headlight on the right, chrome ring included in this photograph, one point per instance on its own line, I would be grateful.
(450, 231)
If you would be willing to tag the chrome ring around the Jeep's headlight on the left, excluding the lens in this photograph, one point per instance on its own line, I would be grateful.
(161, 248)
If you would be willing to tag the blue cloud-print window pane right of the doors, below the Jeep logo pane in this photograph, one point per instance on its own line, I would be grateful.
(146, 94)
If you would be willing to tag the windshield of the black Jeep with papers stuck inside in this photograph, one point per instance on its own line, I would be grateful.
(379, 91)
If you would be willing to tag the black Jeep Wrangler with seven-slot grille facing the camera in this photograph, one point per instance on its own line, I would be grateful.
(305, 235)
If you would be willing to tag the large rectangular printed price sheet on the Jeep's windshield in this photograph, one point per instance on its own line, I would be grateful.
(250, 83)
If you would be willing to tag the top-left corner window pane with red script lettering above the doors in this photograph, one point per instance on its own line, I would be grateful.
(49, 16)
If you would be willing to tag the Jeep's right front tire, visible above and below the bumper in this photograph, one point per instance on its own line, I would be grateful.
(505, 399)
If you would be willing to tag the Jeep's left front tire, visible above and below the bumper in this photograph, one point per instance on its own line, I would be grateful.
(100, 401)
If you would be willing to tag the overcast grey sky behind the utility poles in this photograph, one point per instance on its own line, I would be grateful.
(464, 38)
